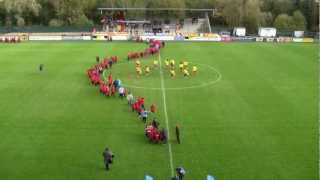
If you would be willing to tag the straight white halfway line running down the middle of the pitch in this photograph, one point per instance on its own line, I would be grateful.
(166, 114)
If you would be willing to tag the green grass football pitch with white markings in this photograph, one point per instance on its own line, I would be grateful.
(251, 112)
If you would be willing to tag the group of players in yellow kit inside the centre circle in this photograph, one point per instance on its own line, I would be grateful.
(169, 65)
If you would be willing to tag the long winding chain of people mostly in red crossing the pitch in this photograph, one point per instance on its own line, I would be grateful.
(110, 87)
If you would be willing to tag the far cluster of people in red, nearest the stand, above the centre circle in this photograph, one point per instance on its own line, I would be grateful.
(154, 47)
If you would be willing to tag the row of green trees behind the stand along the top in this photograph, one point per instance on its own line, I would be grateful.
(282, 14)
